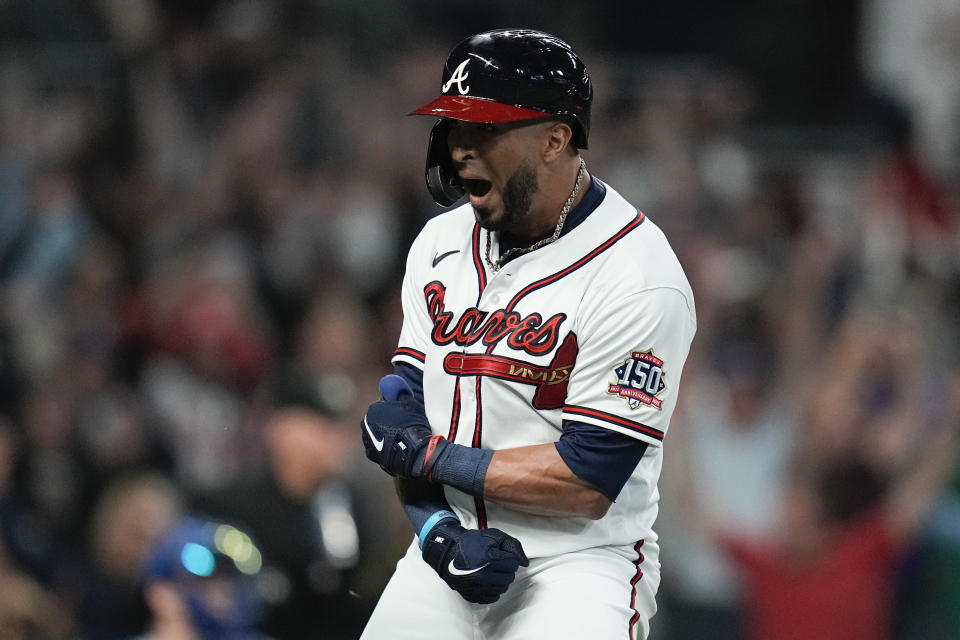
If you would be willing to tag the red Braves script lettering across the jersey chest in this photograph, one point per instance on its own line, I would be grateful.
(530, 334)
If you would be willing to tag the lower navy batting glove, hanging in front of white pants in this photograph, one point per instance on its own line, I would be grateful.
(477, 564)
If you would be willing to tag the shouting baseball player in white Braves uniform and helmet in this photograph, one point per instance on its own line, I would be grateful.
(546, 324)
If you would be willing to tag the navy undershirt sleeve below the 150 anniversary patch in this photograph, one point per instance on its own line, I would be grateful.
(602, 458)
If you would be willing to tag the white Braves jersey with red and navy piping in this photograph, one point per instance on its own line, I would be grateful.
(594, 327)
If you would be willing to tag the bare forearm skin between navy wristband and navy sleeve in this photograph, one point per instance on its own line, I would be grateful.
(535, 479)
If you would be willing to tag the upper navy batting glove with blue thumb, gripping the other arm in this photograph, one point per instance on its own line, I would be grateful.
(395, 431)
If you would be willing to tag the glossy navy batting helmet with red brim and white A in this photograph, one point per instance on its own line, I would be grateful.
(505, 75)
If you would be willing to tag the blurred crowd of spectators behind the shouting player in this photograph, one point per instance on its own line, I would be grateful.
(204, 210)
